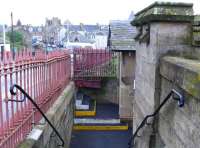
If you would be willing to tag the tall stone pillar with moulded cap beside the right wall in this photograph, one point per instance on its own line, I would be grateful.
(163, 28)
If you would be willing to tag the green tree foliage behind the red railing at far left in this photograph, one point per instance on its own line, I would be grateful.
(17, 39)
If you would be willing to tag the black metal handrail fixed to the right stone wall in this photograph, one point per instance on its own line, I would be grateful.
(179, 98)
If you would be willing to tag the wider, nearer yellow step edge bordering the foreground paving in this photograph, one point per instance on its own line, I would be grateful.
(100, 127)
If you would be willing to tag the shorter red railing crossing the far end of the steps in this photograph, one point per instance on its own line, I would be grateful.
(91, 65)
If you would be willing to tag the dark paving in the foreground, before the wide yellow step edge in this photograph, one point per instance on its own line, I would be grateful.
(100, 139)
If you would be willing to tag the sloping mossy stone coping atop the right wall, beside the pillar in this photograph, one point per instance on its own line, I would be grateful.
(184, 73)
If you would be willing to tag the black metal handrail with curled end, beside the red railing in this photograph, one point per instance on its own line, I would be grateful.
(38, 108)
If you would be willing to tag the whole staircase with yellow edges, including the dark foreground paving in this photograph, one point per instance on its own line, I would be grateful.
(98, 125)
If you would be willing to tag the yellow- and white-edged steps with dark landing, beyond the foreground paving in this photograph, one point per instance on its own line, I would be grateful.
(98, 117)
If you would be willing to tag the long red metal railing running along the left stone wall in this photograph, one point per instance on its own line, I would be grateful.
(42, 76)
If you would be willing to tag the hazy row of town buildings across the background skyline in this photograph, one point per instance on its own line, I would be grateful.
(54, 34)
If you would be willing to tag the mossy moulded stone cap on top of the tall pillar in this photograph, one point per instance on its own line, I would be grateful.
(164, 11)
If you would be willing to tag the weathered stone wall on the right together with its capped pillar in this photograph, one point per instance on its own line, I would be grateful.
(170, 33)
